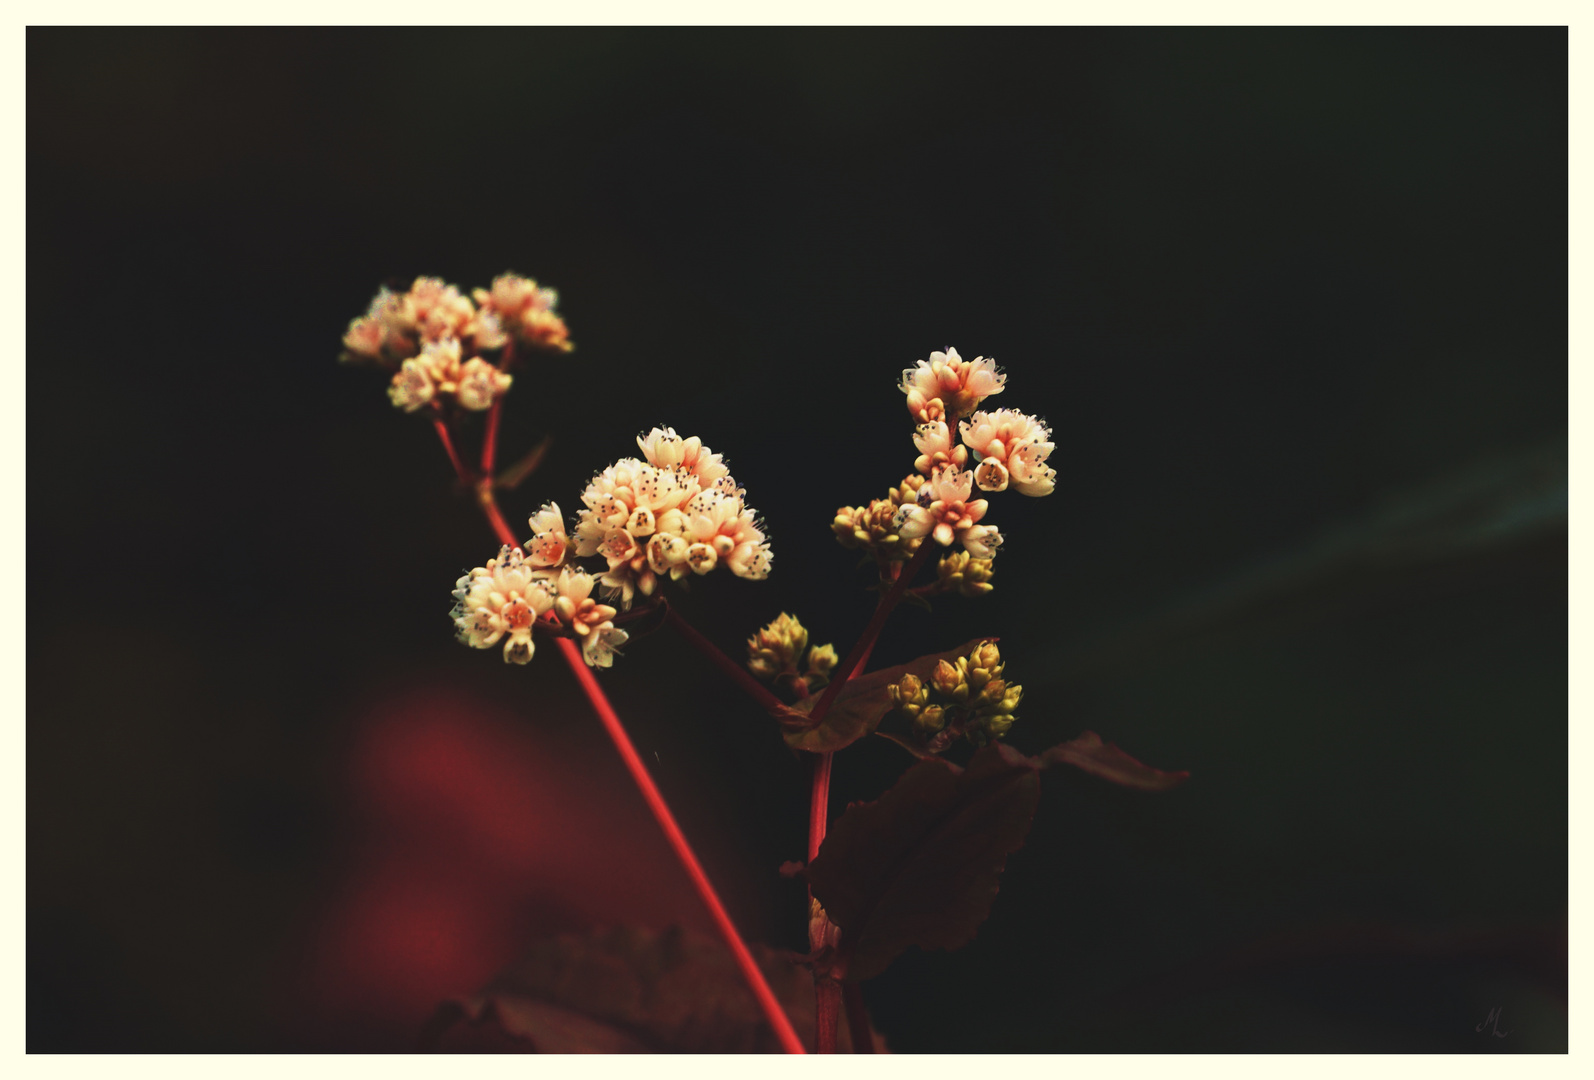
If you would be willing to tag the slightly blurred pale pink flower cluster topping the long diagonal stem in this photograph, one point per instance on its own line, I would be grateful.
(433, 338)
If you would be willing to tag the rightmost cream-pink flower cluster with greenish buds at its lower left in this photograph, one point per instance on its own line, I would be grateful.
(1007, 450)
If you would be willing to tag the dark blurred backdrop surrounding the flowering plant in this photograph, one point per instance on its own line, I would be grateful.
(1295, 303)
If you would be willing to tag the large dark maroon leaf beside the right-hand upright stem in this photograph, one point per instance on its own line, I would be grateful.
(922, 864)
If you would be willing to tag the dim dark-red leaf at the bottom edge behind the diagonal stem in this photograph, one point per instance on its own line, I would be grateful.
(629, 990)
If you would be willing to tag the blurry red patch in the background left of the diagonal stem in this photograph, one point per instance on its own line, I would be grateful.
(473, 837)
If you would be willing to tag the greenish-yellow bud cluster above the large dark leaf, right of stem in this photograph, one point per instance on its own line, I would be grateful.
(972, 700)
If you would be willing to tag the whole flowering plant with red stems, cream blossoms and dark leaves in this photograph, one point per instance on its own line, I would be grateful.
(922, 864)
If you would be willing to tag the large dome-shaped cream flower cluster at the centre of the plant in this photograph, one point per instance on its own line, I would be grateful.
(677, 512)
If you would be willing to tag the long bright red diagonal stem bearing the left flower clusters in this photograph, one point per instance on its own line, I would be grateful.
(653, 796)
